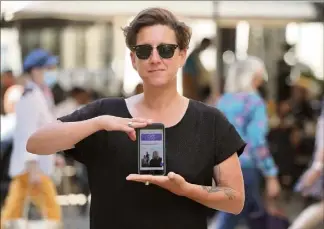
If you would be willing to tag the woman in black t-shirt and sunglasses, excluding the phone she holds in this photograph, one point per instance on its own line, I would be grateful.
(200, 142)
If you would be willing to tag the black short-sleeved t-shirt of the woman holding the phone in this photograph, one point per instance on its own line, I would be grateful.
(201, 140)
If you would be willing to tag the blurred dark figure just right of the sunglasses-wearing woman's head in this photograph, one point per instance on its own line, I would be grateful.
(195, 77)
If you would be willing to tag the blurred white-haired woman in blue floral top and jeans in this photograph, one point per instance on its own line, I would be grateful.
(247, 112)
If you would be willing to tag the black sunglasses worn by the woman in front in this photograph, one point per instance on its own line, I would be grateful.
(165, 51)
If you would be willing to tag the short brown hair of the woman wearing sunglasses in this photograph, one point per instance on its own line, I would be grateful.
(157, 16)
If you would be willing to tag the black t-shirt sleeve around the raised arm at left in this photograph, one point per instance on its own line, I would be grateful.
(84, 150)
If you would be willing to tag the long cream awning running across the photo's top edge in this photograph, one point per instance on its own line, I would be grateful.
(238, 10)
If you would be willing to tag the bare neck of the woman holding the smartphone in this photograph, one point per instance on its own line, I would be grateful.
(159, 98)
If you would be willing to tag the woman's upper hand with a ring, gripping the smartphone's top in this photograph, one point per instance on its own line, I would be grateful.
(127, 125)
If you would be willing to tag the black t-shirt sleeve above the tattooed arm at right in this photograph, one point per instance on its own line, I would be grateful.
(228, 140)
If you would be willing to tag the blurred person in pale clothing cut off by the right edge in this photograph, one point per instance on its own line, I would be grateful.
(312, 183)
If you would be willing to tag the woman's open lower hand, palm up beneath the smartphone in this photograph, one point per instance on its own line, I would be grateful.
(172, 182)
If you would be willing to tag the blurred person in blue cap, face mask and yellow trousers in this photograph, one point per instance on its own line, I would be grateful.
(31, 173)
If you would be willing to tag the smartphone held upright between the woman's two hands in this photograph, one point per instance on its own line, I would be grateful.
(151, 149)
